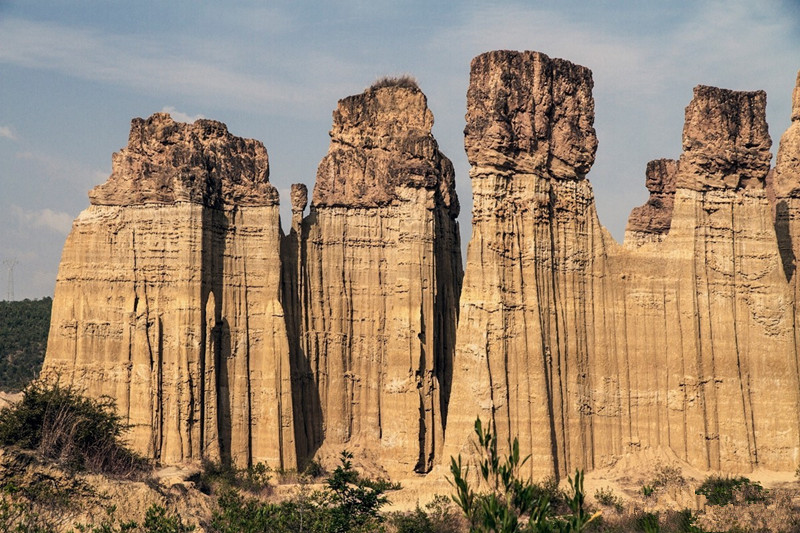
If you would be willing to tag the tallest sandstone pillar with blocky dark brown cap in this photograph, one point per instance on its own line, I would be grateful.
(531, 287)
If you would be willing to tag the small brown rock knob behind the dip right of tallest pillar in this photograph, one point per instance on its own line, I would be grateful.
(651, 221)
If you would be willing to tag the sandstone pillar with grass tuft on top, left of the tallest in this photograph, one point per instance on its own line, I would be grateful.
(381, 281)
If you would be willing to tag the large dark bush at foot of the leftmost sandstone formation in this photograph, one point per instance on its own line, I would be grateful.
(79, 432)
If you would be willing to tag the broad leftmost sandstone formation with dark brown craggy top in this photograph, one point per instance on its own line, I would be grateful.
(167, 297)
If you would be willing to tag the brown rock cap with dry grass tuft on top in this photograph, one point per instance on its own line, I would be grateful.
(381, 140)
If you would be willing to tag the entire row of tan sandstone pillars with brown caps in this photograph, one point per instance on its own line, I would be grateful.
(220, 337)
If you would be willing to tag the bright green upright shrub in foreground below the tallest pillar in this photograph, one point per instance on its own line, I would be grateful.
(508, 502)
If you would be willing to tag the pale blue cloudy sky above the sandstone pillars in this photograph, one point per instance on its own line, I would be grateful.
(74, 73)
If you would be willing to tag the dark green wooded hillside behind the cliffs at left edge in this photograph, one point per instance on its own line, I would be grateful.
(23, 340)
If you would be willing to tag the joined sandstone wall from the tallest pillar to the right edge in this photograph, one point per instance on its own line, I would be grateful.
(586, 350)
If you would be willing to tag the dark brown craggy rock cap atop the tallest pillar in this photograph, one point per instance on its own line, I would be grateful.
(529, 113)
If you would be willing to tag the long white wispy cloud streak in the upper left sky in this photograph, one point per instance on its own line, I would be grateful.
(141, 63)
